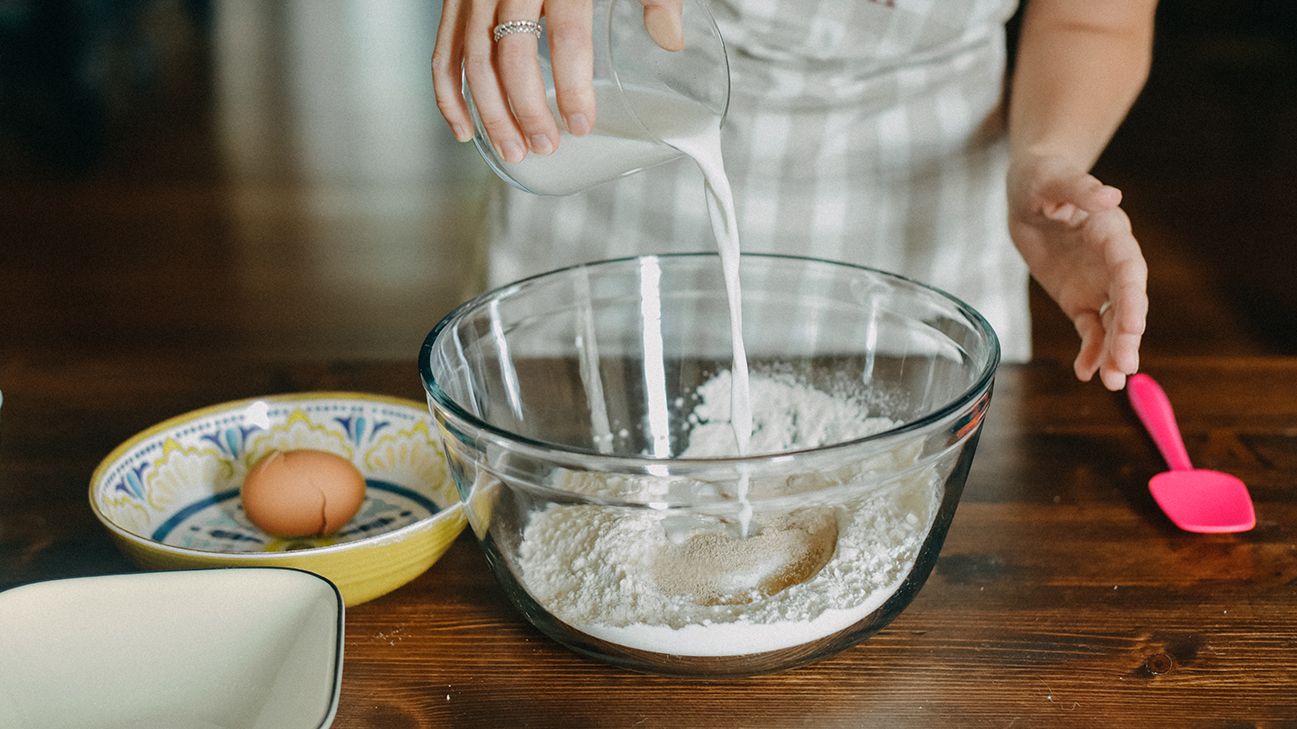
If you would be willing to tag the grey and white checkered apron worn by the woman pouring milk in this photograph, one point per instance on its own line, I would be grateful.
(859, 130)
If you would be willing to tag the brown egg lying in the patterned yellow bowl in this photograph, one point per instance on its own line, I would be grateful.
(303, 494)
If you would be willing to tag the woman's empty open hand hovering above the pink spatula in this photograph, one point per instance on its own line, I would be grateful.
(1078, 243)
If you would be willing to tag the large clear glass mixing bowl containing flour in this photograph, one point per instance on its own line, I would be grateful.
(586, 418)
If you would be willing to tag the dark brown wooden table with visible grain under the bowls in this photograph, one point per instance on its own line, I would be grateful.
(1063, 597)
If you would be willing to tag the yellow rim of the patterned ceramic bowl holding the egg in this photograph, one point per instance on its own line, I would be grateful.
(257, 557)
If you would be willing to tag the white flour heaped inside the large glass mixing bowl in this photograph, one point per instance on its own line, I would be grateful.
(688, 584)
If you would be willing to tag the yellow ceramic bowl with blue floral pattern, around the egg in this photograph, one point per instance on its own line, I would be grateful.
(171, 495)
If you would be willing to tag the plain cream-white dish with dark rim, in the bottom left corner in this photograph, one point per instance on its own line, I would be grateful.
(215, 649)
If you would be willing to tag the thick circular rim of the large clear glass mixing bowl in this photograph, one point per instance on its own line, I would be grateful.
(621, 464)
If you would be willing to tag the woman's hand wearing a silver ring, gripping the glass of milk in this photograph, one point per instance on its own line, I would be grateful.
(505, 77)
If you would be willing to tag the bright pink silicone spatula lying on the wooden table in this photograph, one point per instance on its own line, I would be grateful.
(1195, 500)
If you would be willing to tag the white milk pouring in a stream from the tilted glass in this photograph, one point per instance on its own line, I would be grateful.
(621, 143)
